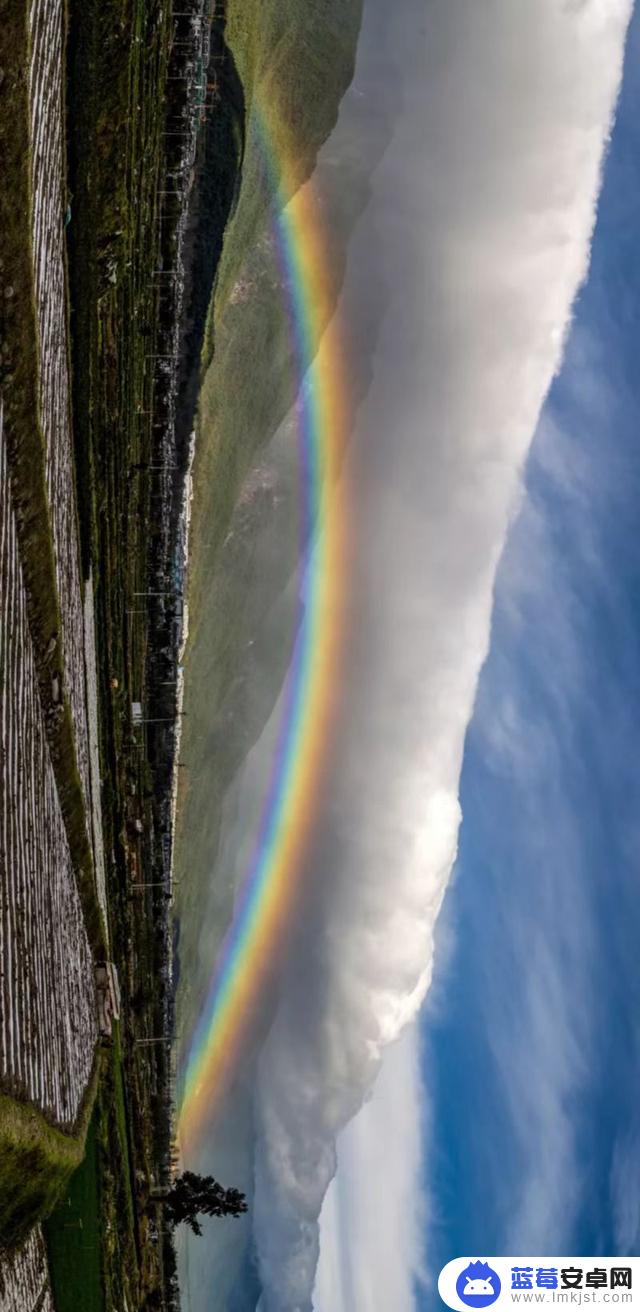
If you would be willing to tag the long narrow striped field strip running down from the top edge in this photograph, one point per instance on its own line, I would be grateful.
(47, 22)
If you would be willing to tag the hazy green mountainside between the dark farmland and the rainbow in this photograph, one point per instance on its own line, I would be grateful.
(296, 65)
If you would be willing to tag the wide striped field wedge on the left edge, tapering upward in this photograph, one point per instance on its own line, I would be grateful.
(48, 1008)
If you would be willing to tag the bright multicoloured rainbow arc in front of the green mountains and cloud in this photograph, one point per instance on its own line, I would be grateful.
(270, 890)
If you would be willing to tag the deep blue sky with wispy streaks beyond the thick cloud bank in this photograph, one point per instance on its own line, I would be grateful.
(532, 1045)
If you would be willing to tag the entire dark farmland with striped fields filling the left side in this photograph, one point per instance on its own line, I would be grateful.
(113, 413)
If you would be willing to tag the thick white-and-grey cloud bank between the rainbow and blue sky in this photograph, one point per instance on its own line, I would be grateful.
(481, 215)
